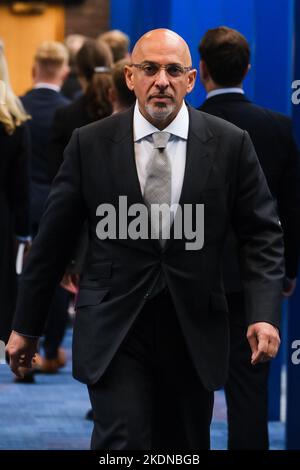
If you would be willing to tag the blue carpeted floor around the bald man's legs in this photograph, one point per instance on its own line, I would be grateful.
(50, 413)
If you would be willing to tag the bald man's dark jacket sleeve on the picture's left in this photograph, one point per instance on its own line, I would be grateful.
(51, 250)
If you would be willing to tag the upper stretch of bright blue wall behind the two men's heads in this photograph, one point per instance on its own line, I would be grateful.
(267, 24)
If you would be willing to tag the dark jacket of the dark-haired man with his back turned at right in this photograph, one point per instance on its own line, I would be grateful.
(272, 136)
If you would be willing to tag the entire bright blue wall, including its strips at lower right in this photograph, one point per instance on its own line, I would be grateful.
(272, 28)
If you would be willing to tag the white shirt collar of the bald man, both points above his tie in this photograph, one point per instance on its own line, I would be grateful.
(178, 127)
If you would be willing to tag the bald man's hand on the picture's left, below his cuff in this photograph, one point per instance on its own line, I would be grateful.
(21, 351)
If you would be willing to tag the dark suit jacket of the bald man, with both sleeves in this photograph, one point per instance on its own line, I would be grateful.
(222, 172)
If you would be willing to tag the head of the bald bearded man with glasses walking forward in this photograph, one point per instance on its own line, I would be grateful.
(160, 75)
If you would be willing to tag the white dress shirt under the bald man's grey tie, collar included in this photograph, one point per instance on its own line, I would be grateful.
(176, 147)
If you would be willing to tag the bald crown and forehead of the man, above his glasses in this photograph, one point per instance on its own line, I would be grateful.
(163, 42)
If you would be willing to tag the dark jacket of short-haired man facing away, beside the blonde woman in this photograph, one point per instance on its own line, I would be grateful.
(41, 104)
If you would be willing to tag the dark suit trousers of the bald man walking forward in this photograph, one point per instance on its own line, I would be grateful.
(150, 396)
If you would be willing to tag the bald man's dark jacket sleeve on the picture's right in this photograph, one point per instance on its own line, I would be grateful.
(260, 238)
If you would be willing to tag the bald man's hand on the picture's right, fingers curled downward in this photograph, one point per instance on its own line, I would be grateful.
(264, 341)
